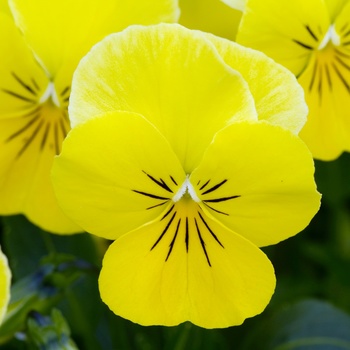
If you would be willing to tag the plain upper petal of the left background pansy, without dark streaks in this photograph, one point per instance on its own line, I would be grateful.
(62, 31)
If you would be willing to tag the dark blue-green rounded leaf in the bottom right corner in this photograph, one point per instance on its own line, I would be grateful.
(306, 325)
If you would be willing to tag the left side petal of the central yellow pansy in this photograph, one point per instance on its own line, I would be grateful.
(115, 173)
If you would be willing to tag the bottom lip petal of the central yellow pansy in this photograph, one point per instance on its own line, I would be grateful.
(186, 267)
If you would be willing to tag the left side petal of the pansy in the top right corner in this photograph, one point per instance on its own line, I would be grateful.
(286, 31)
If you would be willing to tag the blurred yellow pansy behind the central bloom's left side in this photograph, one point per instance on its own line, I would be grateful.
(36, 71)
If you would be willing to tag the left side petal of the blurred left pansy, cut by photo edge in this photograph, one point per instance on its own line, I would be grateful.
(22, 80)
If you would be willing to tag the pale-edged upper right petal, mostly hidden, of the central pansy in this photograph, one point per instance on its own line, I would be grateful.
(278, 97)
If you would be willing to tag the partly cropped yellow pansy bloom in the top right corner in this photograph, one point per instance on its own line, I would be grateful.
(312, 39)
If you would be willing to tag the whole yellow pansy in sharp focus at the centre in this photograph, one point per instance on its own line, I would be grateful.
(169, 158)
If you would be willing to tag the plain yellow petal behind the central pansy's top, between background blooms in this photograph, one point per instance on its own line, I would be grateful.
(210, 16)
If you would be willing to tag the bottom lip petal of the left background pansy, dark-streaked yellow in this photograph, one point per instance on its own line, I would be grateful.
(28, 147)
